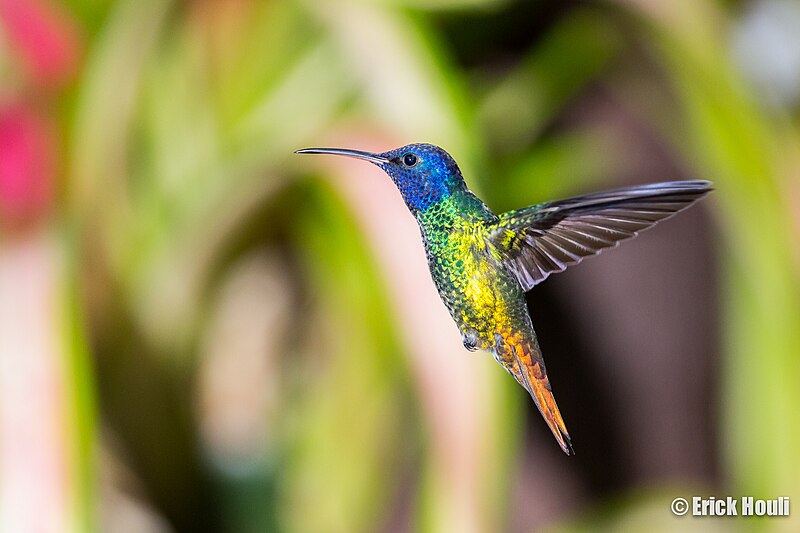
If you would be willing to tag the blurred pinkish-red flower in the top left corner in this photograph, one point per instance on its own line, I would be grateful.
(45, 36)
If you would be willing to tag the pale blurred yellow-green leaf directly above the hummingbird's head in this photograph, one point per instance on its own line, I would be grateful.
(405, 83)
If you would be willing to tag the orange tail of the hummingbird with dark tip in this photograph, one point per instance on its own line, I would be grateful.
(527, 366)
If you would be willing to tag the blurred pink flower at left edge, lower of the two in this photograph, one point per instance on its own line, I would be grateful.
(26, 166)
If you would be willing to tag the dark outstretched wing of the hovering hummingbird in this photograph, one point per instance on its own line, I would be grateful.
(539, 240)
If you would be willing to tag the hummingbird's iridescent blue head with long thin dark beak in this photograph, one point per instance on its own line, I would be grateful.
(424, 173)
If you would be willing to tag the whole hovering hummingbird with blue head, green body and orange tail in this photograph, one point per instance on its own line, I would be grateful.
(482, 264)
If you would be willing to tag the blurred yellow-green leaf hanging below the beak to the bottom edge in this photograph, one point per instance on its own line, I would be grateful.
(355, 430)
